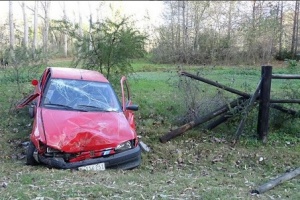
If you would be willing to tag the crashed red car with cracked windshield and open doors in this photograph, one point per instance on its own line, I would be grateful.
(79, 123)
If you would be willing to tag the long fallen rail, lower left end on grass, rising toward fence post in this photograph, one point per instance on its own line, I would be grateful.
(198, 121)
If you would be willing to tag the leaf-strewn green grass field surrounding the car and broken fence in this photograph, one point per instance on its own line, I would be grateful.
(196, 165)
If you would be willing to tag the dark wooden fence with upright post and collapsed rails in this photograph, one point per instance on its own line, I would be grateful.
(261, 95)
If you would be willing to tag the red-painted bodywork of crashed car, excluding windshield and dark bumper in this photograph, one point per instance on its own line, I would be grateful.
(84, 134)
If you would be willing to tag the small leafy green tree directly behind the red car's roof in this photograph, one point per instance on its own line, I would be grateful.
(108, 47)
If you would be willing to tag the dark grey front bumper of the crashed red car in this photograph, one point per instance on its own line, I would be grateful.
(125, 160)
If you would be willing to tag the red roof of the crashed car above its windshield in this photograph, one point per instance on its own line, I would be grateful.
(77, 74)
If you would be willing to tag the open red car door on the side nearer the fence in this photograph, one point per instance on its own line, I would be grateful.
(127, 105)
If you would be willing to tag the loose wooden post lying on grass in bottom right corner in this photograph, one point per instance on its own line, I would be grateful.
(267, 186)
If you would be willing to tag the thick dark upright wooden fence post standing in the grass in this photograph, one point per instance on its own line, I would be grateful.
(264, 104)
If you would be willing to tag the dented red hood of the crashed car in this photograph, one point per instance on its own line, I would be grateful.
(74, 131)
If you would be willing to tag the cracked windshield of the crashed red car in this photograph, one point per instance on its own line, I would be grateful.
(80, 95)
